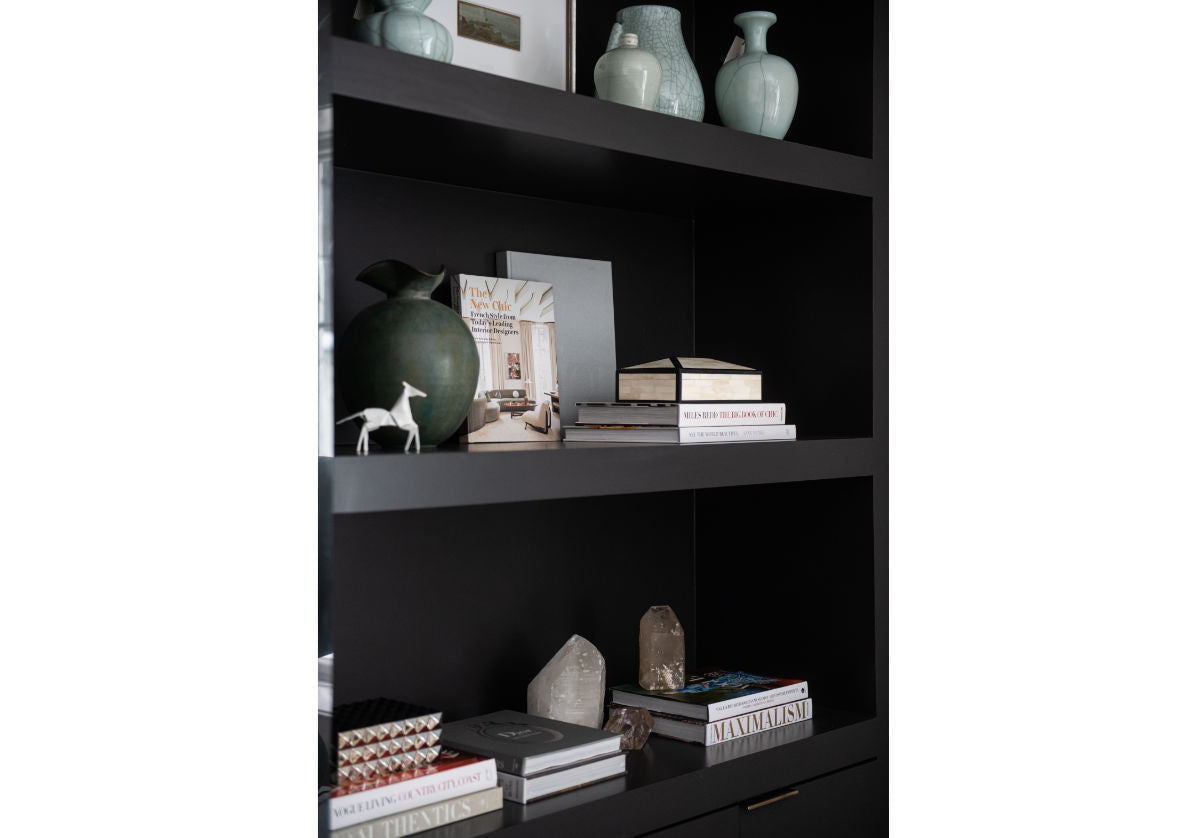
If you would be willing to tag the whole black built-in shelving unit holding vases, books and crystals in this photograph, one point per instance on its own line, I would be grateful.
(449, 578)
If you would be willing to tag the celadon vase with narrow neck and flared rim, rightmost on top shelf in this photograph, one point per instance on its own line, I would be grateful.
(757, 92)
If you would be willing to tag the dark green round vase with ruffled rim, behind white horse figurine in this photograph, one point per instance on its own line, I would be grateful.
(409, 338)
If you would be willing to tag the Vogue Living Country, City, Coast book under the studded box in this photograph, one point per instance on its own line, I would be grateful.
(452, 775)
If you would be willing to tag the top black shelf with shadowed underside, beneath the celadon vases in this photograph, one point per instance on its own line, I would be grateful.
(405, 116)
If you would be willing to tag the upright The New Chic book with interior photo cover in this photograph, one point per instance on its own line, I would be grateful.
(513, 324)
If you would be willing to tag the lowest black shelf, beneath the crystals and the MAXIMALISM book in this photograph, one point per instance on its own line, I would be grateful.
(669, 782)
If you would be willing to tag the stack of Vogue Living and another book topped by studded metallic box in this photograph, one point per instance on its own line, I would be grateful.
(393, 777)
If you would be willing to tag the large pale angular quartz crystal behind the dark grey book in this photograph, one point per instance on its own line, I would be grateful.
(571, 687)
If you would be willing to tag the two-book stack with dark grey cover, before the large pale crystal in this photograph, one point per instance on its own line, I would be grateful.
(537, 758)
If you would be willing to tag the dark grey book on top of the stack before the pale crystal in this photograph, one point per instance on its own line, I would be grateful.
(527, 745)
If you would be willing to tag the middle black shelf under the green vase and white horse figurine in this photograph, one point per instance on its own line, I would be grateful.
(511, 474)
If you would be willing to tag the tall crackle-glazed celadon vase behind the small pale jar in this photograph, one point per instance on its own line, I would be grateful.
(659, 32)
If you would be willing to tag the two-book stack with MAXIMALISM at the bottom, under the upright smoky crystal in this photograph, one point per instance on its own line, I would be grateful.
(722, 705)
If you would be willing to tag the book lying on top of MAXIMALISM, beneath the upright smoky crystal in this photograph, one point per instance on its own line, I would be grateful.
(715, 696)
